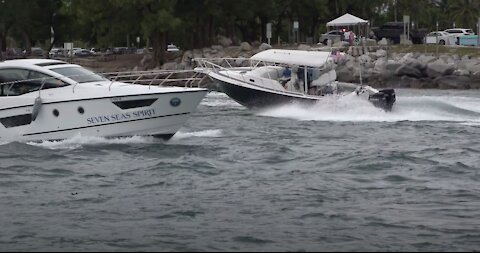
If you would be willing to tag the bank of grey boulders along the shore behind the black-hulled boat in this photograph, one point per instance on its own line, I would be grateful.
(372, 65)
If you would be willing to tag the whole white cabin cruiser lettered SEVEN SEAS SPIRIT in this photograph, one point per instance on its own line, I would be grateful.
(42, 99)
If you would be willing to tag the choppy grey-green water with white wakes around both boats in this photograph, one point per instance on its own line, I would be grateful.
(342, 176)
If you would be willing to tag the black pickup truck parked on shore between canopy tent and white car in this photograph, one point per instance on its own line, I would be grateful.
(393, 31)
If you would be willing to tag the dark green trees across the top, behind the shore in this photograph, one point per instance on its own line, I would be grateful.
(197, 23)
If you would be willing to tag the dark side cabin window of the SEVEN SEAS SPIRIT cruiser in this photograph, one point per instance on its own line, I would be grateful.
(22, 81)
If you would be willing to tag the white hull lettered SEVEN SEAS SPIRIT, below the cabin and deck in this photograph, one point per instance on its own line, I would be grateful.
(159, 115)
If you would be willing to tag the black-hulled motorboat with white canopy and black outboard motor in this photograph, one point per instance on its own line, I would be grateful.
(276, 77)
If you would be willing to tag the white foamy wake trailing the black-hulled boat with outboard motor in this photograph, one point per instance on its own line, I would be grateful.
(351, 108)
